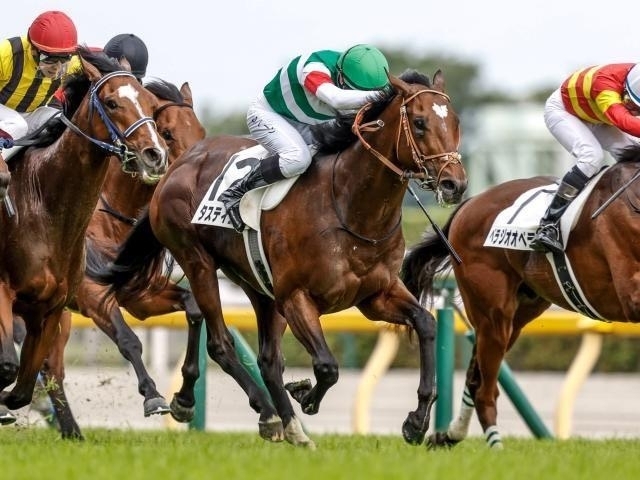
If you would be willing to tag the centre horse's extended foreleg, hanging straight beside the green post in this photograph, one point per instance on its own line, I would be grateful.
(398, 306)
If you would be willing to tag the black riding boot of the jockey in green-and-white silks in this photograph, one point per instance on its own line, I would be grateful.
(266, 172)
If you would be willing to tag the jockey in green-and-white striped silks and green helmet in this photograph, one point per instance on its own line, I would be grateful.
(310, 90)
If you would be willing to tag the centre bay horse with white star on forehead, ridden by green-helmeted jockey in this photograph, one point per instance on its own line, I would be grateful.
(332, 243)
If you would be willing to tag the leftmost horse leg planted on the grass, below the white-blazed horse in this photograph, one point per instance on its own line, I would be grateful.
(53, 383)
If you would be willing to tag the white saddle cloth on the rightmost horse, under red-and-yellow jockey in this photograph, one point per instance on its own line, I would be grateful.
(515, 226)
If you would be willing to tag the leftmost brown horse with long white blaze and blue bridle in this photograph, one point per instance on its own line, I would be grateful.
(54, 190)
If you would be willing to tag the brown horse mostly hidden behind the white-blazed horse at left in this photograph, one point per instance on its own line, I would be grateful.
(122, 198)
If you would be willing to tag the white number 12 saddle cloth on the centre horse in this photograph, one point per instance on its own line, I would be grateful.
(212, 212)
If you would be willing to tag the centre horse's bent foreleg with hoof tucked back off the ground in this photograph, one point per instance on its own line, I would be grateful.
(304, 321)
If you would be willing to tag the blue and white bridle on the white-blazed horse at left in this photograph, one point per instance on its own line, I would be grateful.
(118, 137)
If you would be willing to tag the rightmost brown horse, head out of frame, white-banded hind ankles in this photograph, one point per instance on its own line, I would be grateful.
(504, 289)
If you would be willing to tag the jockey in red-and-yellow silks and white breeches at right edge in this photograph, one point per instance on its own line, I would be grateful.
(595, 110)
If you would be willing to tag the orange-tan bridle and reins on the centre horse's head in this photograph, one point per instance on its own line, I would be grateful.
(419, 158)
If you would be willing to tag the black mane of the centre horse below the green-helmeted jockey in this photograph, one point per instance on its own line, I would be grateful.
(336, 135)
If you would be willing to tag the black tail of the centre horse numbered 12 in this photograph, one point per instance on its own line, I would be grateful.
(139, 260)
